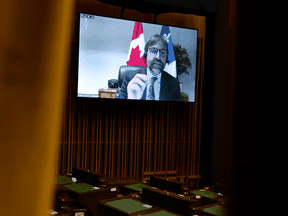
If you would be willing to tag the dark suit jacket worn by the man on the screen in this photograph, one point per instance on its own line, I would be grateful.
(169, 88)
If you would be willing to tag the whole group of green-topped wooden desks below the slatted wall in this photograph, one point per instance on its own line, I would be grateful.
(83, 199)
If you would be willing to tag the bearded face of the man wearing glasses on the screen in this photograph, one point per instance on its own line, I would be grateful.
(156, 58)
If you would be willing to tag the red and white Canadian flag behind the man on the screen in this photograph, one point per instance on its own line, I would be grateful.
(136, 50)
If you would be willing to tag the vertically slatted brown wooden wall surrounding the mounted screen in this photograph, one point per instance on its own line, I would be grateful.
(132, 140)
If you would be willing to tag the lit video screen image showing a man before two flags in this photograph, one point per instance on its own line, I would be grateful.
(124, 59)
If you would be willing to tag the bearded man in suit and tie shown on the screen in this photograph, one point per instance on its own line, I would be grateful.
(152, 83)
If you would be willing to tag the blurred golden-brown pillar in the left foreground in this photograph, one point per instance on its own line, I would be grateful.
(34, 41)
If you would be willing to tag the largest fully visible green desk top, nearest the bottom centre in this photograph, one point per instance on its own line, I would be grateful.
(128, 205)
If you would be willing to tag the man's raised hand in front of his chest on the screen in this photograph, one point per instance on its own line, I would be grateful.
(137, 86)
